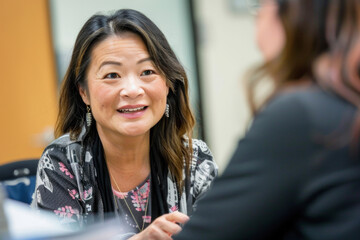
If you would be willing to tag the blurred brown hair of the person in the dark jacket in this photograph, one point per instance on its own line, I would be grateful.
(316, 31)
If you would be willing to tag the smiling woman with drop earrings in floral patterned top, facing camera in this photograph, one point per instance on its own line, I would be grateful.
(124, 132)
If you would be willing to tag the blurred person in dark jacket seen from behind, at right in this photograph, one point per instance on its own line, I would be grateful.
(296, 173)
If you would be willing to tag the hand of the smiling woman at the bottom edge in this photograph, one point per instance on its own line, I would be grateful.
(163, 227)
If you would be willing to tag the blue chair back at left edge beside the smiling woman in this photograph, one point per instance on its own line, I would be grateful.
(18, 179)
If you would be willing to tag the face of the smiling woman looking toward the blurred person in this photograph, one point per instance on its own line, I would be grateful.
(126, 93)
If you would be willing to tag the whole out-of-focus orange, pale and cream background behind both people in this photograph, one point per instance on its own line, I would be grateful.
(214, 40)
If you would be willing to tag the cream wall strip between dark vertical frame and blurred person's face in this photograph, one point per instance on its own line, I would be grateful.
(227, 49)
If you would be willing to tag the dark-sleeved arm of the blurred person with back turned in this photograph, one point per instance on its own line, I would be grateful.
(256, 194)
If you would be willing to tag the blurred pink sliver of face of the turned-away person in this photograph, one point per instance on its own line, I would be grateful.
(269, 30)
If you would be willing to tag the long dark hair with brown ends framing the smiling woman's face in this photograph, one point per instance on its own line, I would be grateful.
(171, 137)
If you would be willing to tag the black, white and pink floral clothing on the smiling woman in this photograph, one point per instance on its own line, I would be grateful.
(66, 184)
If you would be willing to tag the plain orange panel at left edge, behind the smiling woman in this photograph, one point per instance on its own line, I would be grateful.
(28, 79)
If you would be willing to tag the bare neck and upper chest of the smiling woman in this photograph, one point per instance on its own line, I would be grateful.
(128, 160)
